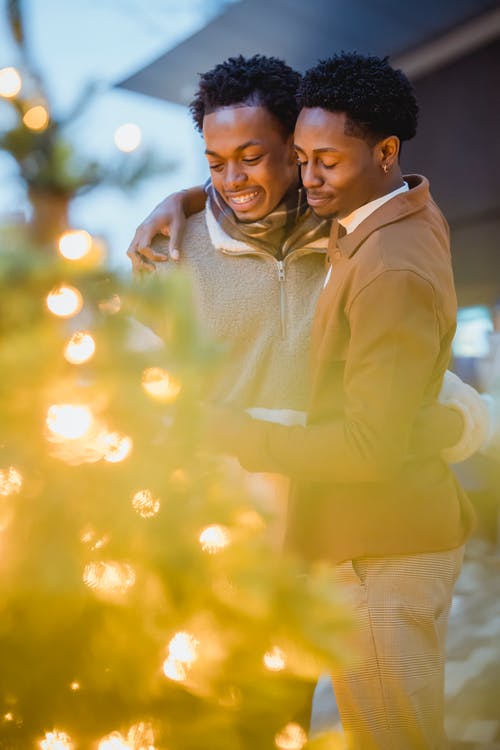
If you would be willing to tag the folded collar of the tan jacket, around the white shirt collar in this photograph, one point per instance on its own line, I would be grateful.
(394, 210)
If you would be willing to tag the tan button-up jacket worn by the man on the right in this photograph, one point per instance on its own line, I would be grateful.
(381, 343)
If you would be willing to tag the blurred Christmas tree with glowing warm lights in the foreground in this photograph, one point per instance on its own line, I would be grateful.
(143, 605)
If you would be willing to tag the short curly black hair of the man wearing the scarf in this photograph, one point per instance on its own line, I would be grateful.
(258, 80)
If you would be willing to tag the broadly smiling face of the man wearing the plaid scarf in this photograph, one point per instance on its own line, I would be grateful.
(252, 162)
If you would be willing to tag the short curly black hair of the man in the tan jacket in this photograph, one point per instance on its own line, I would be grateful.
(377, 99)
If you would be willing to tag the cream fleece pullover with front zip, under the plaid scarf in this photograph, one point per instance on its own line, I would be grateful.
(261, 310)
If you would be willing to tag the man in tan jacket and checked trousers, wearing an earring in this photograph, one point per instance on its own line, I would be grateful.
(392, 525)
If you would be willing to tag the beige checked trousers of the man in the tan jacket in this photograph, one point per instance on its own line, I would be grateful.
(391, 695)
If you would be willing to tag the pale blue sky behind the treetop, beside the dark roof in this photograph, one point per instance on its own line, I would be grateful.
(77, 41)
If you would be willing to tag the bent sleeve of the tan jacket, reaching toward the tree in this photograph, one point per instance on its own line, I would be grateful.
(394, 346)
